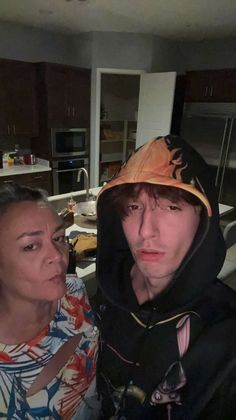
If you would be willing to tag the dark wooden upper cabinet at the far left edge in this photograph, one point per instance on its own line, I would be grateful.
(18, 107)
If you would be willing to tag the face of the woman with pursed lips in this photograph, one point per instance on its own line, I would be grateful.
(33, 253)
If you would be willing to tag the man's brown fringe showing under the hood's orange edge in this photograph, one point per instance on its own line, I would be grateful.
(120, 194)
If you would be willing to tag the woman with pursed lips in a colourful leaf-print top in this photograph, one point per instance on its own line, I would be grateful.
(48, 342)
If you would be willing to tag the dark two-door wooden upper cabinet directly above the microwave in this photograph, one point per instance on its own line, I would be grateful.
(64, 95)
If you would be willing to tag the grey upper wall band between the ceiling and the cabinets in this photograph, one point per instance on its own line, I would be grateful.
(112, 49)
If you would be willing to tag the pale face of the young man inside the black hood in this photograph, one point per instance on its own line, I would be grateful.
(159, 233)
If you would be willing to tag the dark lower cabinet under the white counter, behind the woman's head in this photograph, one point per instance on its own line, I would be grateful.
(36, 180)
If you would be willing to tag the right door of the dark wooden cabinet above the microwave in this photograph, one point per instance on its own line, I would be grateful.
(79, 97)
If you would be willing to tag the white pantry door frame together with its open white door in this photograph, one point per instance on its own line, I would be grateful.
(155, 105)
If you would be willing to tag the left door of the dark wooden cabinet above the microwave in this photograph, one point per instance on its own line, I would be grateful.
(55, 79)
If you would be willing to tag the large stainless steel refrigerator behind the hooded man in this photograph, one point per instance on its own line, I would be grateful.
(211, 129)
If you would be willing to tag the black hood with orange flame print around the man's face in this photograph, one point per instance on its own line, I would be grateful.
(168, 161)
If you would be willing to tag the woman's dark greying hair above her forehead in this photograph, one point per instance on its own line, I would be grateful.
(14, 193)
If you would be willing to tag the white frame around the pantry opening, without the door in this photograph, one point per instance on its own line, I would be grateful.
(95, 117)
